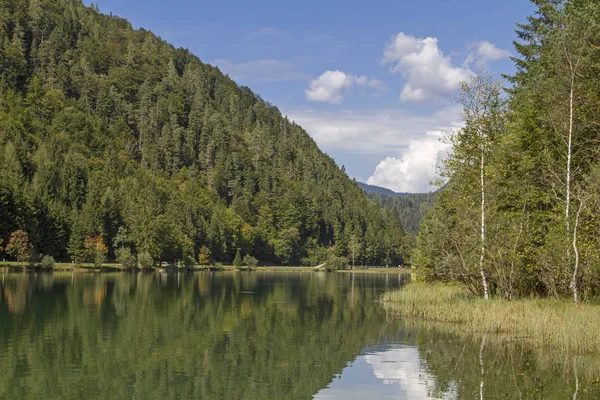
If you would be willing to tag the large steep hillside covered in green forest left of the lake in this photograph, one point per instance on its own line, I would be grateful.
(113, 139)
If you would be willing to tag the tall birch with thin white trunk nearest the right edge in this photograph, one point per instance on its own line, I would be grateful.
(568, 67)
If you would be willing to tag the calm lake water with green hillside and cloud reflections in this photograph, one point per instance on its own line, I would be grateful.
(253, 335)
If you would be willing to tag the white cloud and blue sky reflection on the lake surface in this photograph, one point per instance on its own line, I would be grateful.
(394, 372)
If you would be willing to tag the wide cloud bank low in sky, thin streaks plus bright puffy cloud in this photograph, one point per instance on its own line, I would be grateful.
(407, 144)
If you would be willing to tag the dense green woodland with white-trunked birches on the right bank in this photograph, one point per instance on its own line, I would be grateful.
(519, 215)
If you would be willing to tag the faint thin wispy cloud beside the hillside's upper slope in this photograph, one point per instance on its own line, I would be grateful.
(261, 70)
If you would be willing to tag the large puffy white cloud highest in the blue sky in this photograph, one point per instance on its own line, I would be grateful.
(428, 73)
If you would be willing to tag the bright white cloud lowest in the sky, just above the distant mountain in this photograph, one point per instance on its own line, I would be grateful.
(417, 166)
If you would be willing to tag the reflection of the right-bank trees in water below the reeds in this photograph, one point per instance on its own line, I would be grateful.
(511, 369)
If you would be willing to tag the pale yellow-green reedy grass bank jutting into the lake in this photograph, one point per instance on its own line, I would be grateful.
(545, 323)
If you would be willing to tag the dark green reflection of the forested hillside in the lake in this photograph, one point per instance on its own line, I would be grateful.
(225, 335)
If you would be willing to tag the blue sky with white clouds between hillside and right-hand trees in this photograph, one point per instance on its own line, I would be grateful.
(373, 83)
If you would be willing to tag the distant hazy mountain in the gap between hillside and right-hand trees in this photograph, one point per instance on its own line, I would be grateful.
(410, 207)
